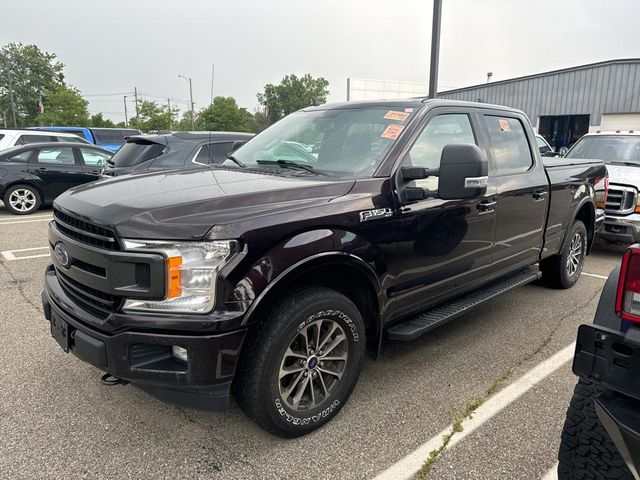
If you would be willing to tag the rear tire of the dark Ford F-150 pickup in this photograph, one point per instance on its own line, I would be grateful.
(555, 269)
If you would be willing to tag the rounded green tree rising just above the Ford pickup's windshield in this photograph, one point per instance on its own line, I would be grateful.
(291, 94)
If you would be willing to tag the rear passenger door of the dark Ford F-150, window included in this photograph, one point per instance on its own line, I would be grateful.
(522, 190)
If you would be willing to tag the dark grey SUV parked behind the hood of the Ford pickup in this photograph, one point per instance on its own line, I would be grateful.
(148, 153)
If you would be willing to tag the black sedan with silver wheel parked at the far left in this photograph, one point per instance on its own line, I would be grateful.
(35, 174)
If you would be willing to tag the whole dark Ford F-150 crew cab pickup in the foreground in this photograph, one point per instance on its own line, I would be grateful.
(271, 274)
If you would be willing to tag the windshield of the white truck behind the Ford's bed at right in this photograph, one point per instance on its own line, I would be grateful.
(610, 148)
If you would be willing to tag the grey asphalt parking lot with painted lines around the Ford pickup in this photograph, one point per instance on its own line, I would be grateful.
(57, 420)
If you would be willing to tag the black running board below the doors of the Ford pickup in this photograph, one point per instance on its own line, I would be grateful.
(414, 327)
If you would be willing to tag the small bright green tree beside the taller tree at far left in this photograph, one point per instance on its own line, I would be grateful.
(64, 106)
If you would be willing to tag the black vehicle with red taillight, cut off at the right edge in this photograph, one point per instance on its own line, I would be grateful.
(601, 434)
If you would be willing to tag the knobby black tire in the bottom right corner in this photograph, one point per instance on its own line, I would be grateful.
(586, 450)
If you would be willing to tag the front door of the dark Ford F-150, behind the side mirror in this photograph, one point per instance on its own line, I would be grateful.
(443, 245)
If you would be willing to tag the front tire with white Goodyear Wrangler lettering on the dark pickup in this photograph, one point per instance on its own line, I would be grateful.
(259, 384)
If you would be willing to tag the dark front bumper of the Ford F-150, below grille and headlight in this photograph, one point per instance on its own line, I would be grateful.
(143, 356)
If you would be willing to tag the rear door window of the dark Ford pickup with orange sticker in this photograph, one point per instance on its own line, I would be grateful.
(508, 144)
